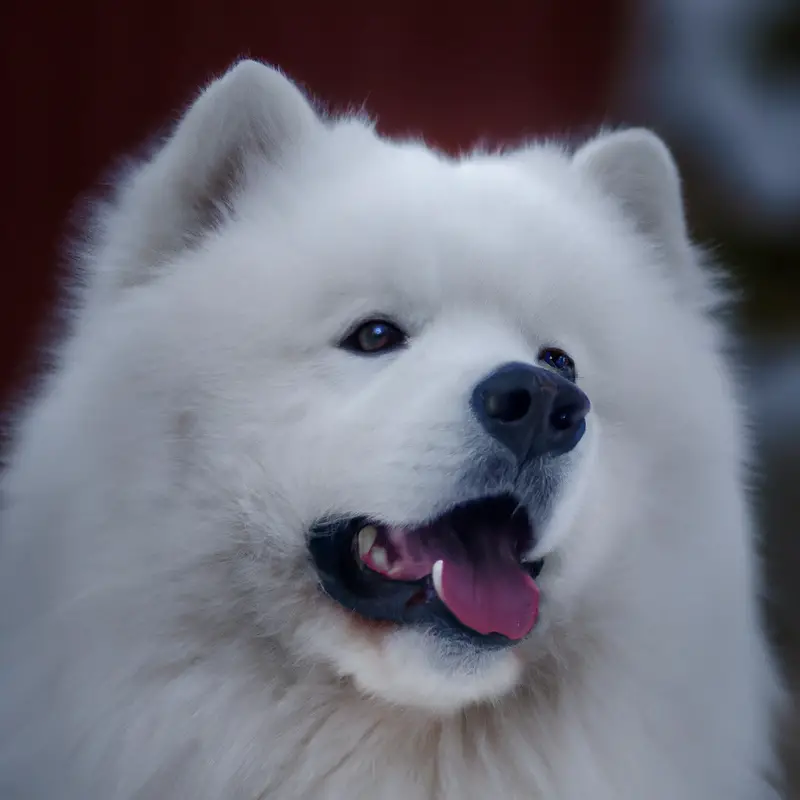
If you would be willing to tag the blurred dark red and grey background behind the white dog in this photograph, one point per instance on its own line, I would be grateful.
(87, 82)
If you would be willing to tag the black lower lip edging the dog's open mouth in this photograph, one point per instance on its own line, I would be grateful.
(376, 598)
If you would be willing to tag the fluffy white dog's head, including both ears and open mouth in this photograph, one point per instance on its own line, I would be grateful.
(420, 399)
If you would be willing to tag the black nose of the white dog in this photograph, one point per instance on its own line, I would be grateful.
(531, 410)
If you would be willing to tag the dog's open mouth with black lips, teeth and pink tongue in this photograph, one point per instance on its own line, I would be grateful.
(462, 573)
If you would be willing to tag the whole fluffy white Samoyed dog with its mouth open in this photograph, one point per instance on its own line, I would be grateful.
(369, 473)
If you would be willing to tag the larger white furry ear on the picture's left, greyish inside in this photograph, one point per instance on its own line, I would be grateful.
(243, 123)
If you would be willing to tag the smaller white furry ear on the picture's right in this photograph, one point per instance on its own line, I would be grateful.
(635, 169)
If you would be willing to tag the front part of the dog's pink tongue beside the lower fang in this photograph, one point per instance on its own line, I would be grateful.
(499, 597)
